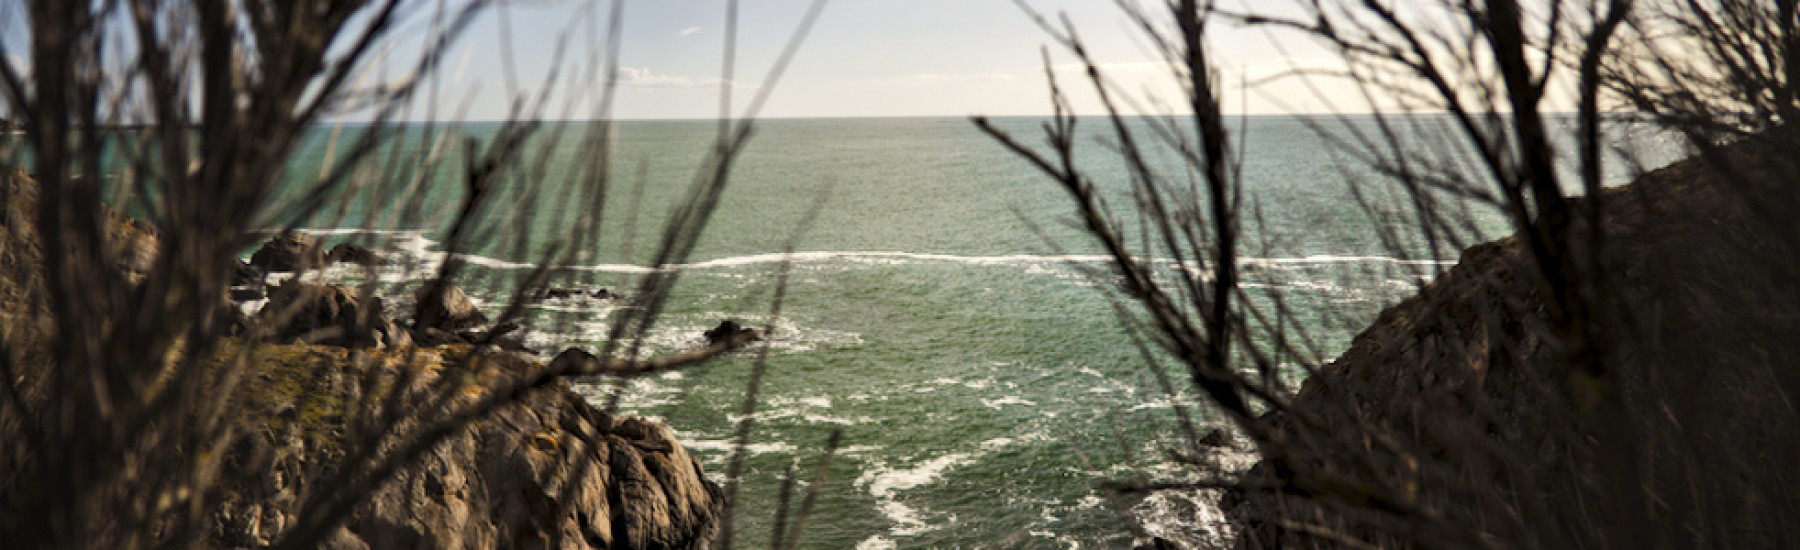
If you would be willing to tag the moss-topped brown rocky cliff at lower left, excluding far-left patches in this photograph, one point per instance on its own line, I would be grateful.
(546, 472)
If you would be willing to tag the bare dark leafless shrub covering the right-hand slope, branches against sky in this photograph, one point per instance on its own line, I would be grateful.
(1543, 405)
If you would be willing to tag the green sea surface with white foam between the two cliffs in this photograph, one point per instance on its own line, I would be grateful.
(944, 312)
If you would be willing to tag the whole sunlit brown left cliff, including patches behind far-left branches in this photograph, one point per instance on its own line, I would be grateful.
(546, 470)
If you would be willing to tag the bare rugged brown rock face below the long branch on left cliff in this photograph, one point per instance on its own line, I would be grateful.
(546, 472)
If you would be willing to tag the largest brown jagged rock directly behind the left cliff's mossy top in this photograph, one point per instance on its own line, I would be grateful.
(328, 315)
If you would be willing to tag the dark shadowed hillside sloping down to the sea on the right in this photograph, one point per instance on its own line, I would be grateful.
(1462, 405)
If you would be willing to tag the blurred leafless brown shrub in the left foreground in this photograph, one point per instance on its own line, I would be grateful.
(118, 414)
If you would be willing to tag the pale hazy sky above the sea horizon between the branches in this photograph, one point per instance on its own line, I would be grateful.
(865, 58)
